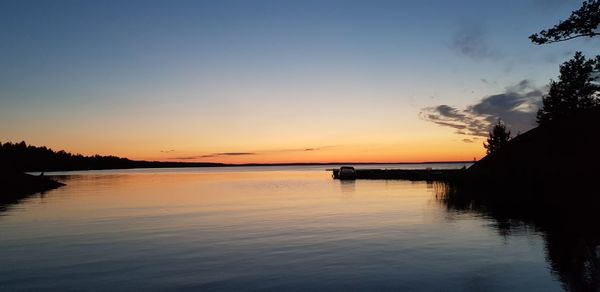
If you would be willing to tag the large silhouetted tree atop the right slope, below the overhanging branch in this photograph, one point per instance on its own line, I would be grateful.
(574, 91)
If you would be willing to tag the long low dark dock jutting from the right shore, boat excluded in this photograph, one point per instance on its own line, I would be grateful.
(405, 174)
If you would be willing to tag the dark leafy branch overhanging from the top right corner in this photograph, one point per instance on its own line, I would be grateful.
(583, 22)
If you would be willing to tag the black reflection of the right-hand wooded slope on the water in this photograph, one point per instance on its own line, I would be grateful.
(571, 233)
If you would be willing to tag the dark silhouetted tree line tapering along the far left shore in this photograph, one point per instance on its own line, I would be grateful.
(26, 158)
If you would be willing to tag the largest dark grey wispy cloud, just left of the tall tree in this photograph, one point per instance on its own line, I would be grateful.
(516, 106)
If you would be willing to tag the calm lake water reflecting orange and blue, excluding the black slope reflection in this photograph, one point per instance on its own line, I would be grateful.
(274, 228)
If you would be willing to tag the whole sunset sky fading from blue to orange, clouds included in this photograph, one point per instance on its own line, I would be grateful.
(275, 81)
